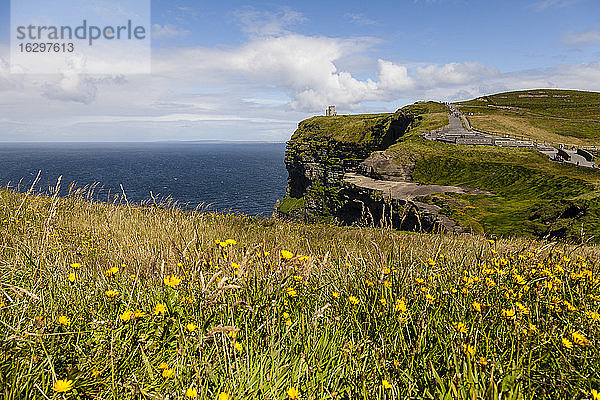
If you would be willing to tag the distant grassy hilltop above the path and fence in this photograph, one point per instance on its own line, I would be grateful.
(553, 116)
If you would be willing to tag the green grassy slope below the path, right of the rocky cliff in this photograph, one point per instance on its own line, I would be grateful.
(531, 193)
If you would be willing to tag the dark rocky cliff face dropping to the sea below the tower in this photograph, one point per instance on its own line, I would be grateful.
(324, 150)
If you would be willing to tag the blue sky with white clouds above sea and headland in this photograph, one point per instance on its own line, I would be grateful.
(238, 70)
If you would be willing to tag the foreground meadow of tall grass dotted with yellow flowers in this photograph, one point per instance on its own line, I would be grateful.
(242, 308)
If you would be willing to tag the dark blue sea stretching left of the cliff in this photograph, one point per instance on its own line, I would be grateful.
(239, 177)
